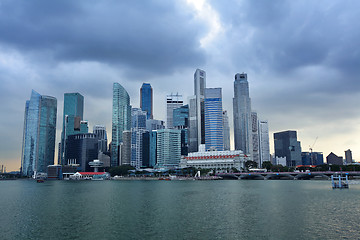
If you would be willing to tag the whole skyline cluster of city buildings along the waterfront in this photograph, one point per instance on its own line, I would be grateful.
(195, 134)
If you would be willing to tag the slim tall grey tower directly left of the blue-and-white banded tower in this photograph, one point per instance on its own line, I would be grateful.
(196, 112)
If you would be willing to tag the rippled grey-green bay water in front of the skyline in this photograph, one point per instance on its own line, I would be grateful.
(178, 210)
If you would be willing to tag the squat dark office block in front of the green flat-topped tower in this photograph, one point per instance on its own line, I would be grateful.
(81, 149)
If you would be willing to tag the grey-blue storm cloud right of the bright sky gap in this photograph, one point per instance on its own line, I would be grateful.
(285, 36)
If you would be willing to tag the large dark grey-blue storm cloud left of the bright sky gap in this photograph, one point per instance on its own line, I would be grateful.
(154, 36)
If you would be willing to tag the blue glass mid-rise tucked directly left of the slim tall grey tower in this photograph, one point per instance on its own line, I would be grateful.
(181, 121)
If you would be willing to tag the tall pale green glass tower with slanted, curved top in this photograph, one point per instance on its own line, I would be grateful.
(121, 120)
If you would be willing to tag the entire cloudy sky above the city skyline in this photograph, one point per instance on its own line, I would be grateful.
(302, 59)
